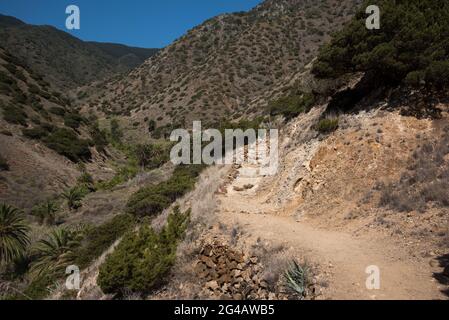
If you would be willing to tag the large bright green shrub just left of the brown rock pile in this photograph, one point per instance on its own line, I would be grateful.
(143, 259)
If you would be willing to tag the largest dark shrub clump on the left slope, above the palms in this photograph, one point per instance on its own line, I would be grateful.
(66, 142)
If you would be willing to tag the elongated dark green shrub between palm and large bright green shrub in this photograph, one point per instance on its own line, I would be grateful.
(100, 238)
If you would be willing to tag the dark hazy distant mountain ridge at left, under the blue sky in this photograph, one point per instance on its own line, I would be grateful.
(66, 61)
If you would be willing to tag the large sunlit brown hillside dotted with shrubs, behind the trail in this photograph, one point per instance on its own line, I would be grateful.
(228, 67)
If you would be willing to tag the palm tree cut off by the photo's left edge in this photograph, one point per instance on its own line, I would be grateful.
(13, 234)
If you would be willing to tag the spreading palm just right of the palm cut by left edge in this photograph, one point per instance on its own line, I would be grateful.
(55, 253)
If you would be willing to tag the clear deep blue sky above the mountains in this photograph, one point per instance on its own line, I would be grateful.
(143, 23)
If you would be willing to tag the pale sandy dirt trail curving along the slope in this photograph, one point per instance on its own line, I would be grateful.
(345, 256)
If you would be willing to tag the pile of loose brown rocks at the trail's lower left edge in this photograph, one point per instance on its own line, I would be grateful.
(228, 274)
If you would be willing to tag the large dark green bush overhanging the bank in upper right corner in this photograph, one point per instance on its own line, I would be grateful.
(412, 44)
